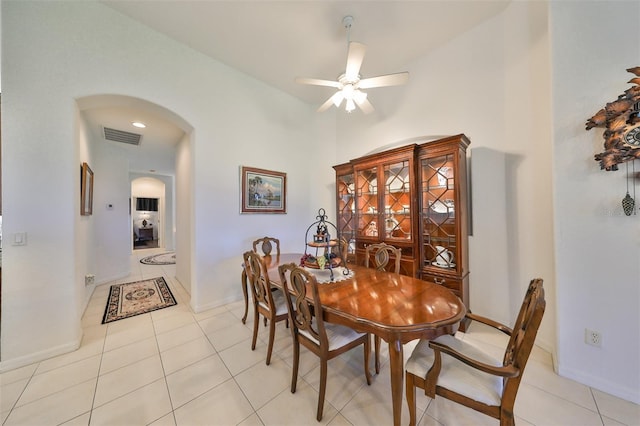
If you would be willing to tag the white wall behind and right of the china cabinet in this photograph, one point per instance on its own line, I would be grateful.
(490, 83)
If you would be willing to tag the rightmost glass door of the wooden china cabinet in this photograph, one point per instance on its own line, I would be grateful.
(438, 211)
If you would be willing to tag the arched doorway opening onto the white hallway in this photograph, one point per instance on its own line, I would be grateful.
(161, 153)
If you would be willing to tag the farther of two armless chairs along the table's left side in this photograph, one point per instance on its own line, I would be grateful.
(270, 304)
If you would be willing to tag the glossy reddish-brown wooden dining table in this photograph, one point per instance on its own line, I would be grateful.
(395, 307)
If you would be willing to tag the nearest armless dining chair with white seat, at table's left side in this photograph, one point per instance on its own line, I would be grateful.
(309, 329)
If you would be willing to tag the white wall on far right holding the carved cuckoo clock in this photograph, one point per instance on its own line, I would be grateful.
(597, 246)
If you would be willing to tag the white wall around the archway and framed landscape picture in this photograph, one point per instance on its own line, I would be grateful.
(62, 51)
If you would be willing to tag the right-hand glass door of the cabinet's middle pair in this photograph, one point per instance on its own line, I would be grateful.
(397, 199)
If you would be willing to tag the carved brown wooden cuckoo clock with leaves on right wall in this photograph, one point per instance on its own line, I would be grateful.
(619, 118)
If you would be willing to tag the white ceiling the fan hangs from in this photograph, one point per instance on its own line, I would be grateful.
(277, 41)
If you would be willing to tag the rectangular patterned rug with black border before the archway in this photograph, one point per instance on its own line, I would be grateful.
(135, 298)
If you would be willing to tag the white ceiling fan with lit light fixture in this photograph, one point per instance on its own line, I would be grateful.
(350, 84)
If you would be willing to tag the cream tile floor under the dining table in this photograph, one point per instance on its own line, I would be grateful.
(174, 367)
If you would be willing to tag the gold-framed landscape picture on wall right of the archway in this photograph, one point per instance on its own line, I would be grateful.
(263, 191)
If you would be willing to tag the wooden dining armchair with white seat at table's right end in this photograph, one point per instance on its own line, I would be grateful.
(462, 372)
